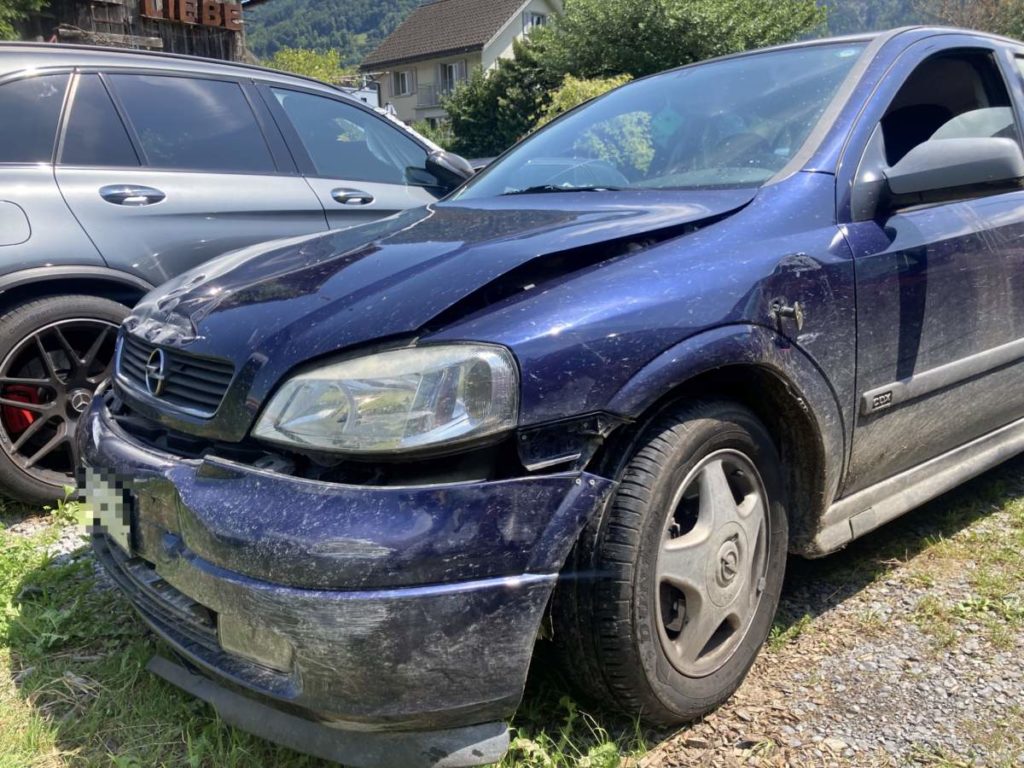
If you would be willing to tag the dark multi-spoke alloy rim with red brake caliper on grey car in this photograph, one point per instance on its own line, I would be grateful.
(47, 383)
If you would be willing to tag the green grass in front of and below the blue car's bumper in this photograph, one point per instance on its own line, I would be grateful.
(74, 691)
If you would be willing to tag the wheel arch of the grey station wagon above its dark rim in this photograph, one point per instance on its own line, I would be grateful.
(38, 283)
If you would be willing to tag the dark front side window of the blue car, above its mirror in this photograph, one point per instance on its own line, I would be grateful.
(958, 96)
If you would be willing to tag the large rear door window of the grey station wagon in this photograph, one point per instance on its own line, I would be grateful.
(194, 124)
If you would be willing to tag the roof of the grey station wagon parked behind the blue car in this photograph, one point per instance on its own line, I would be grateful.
(16, 57)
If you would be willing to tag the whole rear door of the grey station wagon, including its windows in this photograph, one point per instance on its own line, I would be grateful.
(167, 172)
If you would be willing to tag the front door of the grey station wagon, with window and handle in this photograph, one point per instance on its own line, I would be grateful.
(361, 166)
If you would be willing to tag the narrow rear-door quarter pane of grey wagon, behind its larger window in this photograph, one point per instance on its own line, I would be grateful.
(96, 136)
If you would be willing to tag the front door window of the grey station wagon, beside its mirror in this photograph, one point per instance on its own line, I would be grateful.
(346, 143)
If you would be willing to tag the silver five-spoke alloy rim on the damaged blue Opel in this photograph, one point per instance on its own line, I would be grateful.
(712, 565)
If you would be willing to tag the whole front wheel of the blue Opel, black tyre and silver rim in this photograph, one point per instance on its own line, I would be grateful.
(705, 481)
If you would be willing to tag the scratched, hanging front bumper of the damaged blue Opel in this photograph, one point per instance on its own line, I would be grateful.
(381, 614)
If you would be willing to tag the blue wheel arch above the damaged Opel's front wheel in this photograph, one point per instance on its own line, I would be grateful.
(750, 365)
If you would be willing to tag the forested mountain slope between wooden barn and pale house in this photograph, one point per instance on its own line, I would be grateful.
(354, 27)
